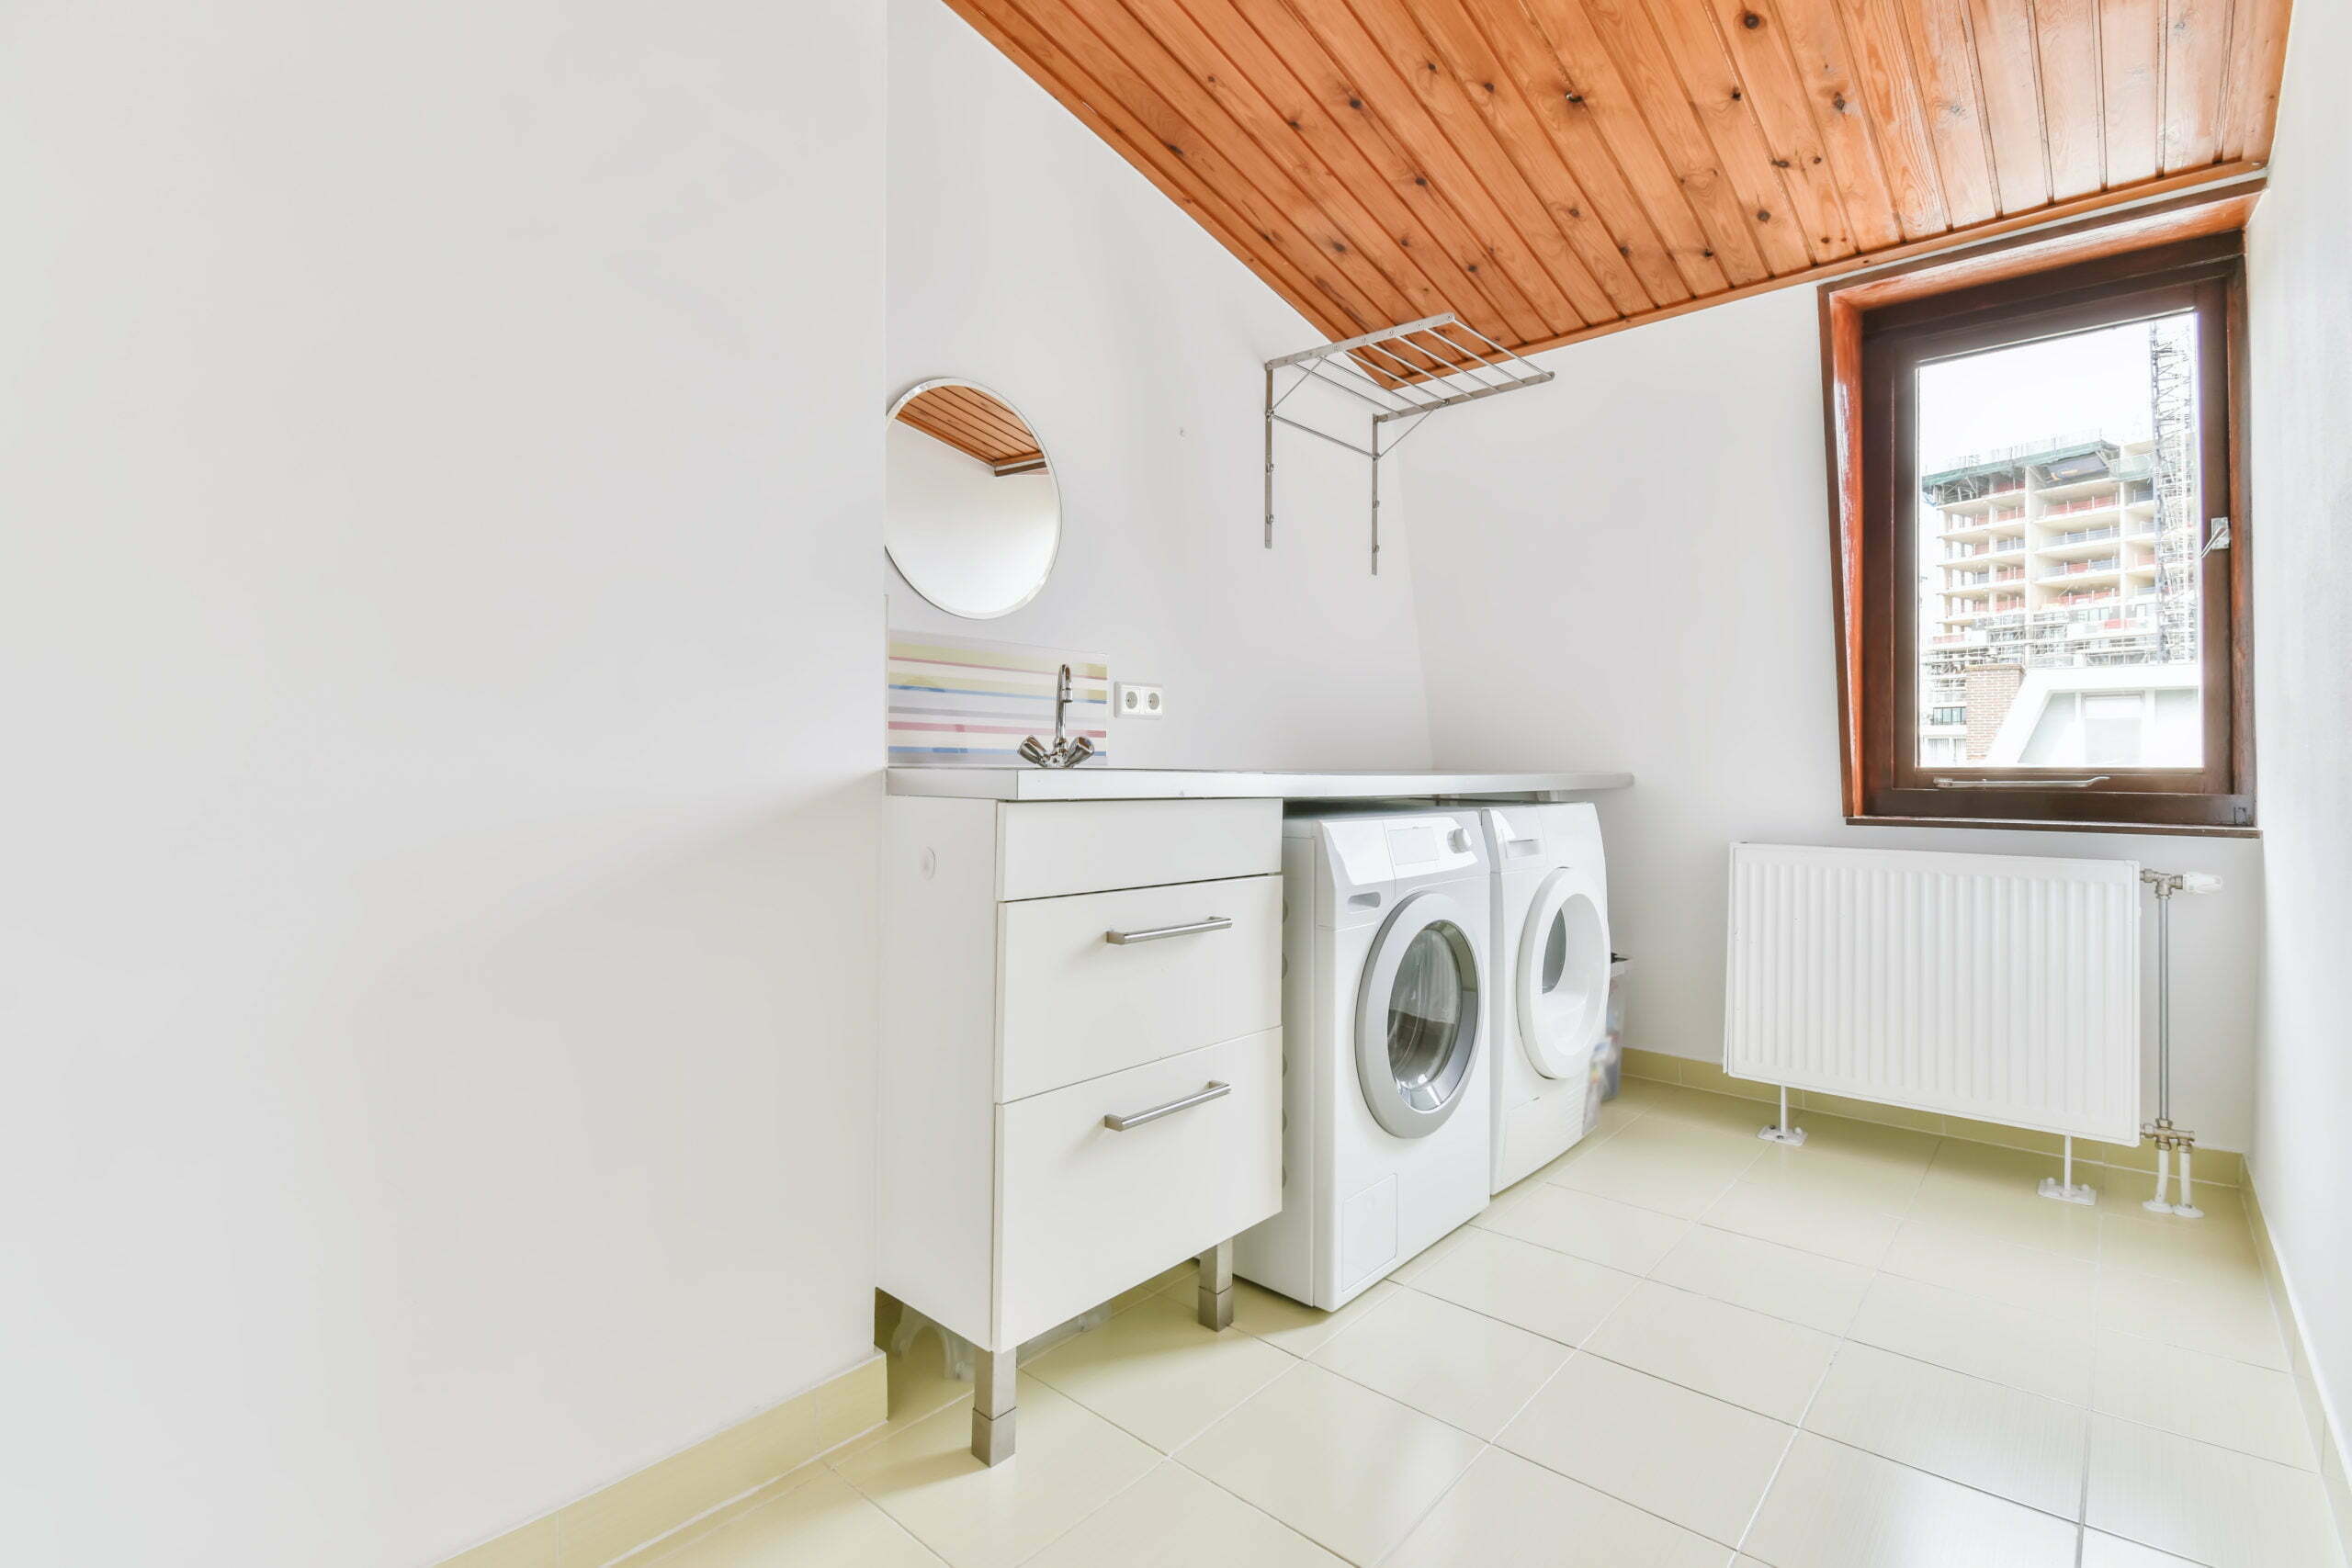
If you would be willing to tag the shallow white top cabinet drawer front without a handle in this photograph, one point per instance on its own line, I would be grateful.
(1048, 850)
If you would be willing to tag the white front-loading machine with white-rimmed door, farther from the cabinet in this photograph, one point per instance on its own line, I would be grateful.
(1551, 979)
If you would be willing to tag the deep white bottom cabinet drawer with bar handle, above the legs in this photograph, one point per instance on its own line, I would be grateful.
(1088, 1212)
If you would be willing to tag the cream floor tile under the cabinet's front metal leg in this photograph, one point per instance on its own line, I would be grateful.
(1071, 1461)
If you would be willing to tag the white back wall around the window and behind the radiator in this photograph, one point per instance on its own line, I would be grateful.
(1636, 572)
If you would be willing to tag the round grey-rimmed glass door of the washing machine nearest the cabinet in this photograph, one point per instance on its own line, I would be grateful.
(1417, 1014)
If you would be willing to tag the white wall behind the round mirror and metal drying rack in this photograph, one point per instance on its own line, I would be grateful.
(1031, 257)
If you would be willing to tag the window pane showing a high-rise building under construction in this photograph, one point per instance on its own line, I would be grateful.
(2059, 610)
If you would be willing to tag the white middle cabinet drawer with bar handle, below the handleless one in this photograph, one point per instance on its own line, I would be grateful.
(1076, 1005)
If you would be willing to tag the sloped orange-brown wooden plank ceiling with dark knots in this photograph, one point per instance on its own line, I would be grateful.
(1561, 168)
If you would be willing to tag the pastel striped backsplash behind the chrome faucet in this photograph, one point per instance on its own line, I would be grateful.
(968, 702)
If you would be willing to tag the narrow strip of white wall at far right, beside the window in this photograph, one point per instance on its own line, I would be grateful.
(2301, 307)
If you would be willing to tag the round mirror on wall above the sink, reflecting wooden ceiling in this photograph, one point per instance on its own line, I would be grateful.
(973, 509)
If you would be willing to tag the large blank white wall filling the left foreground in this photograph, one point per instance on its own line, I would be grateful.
(441, 476)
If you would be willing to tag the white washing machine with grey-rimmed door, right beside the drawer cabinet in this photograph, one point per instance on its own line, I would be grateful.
(1387, 939)
